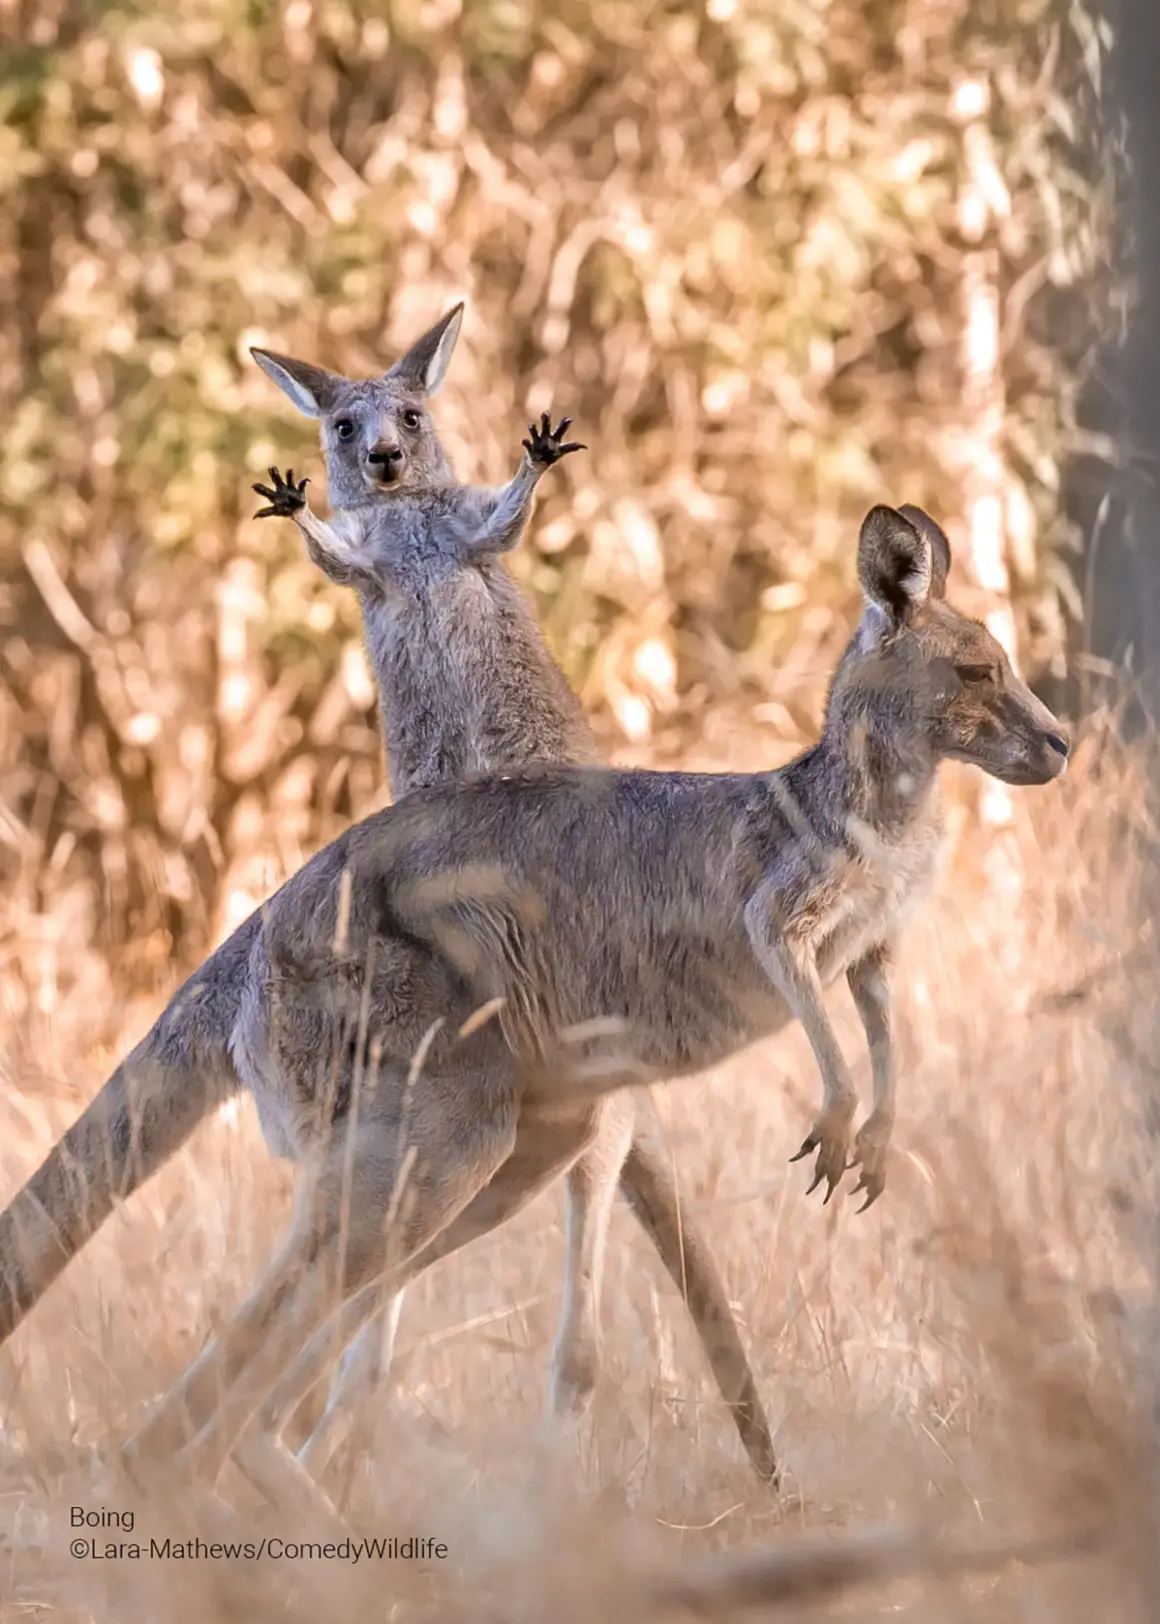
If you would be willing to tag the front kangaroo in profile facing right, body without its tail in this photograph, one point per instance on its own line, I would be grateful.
(563, 931)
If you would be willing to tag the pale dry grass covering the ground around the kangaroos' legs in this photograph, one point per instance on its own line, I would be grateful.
(963, 1362)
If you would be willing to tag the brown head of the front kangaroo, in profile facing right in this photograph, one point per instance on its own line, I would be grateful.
(927, 681)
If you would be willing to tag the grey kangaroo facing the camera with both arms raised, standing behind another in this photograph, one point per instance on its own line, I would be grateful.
(467, 685)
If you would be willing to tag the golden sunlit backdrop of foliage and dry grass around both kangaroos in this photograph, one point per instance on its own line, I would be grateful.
(779, 261)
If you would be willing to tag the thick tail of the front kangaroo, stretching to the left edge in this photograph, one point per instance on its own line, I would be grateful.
(173, 1081)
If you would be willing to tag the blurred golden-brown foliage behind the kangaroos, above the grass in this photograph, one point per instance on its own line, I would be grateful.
(724, 236)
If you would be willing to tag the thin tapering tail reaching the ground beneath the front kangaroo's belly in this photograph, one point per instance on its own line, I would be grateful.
(651, 1191)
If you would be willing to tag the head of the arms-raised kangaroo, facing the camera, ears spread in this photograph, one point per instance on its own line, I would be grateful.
(378, 434)
